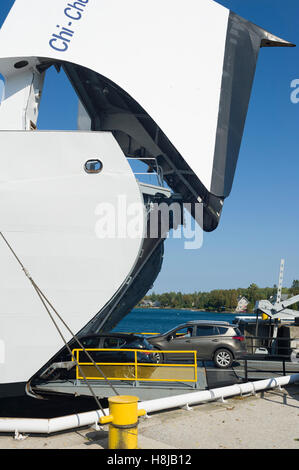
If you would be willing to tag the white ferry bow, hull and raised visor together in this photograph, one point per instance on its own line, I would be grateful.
(159, 84)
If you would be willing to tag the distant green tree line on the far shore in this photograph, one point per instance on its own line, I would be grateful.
(221, 299)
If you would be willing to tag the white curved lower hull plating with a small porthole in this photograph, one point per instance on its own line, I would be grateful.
(49, 210)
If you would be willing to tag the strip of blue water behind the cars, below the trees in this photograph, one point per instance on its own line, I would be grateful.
(155, 320)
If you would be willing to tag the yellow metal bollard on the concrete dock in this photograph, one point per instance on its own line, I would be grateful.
(123, 422)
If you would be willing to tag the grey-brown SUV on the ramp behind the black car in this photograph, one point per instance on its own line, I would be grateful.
(213, 340)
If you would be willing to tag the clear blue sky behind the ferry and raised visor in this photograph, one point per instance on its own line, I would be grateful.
(260, 220)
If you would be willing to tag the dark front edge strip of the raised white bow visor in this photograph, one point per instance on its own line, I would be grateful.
(243, 42)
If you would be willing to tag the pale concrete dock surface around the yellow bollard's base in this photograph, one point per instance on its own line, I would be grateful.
(268, 420)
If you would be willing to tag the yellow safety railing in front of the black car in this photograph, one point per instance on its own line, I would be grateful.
(138, 371)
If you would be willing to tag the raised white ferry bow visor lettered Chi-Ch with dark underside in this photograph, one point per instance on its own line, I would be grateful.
(187, 114)
